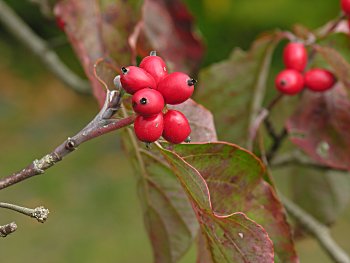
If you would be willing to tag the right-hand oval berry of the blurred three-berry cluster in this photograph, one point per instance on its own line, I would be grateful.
(319, 79)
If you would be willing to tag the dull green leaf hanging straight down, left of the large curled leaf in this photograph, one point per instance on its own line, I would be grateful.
(168, 215)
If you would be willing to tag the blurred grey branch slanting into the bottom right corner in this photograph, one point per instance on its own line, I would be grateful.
(317, 230)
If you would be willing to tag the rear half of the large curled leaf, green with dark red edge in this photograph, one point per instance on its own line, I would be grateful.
(235, 181)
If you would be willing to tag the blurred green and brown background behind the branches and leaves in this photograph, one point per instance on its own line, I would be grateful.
(95, 215)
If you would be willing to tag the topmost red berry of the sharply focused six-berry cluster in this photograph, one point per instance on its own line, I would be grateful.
(155, 66)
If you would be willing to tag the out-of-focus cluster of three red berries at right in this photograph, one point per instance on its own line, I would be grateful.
(291, 80)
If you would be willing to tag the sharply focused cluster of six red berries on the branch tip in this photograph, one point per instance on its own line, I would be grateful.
(152, 88)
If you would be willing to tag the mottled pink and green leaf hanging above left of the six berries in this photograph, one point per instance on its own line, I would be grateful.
(98, 29)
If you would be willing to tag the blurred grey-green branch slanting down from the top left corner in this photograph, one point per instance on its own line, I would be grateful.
(19, 29)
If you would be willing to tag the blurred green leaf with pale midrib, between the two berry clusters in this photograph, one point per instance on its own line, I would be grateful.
(234, 89)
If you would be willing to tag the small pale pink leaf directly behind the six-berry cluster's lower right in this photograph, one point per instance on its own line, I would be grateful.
(200, 119)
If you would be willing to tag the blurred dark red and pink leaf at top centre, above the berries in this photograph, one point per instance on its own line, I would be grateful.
(167, 27)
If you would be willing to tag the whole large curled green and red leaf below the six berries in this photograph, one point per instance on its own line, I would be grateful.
(226, 187)
